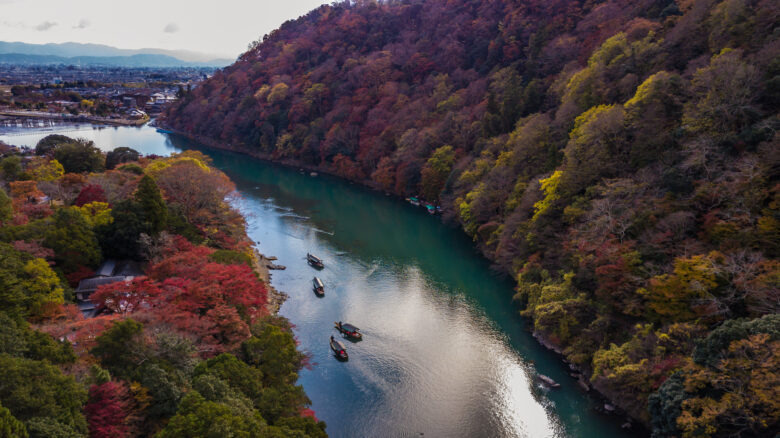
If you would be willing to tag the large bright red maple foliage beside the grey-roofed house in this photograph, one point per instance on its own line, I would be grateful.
(211, 302)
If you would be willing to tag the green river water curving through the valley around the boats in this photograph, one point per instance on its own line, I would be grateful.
(444, 352)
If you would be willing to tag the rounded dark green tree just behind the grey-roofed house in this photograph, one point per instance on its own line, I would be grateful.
(72, 239)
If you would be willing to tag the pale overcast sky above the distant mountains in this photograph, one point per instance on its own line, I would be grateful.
(220, 27)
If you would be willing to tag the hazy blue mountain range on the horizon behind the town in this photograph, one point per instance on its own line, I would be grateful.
(98, 54)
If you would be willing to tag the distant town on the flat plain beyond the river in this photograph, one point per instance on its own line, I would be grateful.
(111, 95)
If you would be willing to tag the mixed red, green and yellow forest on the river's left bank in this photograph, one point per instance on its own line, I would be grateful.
(190, 348)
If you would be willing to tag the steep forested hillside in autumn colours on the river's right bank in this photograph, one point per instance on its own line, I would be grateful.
(619, 158)
